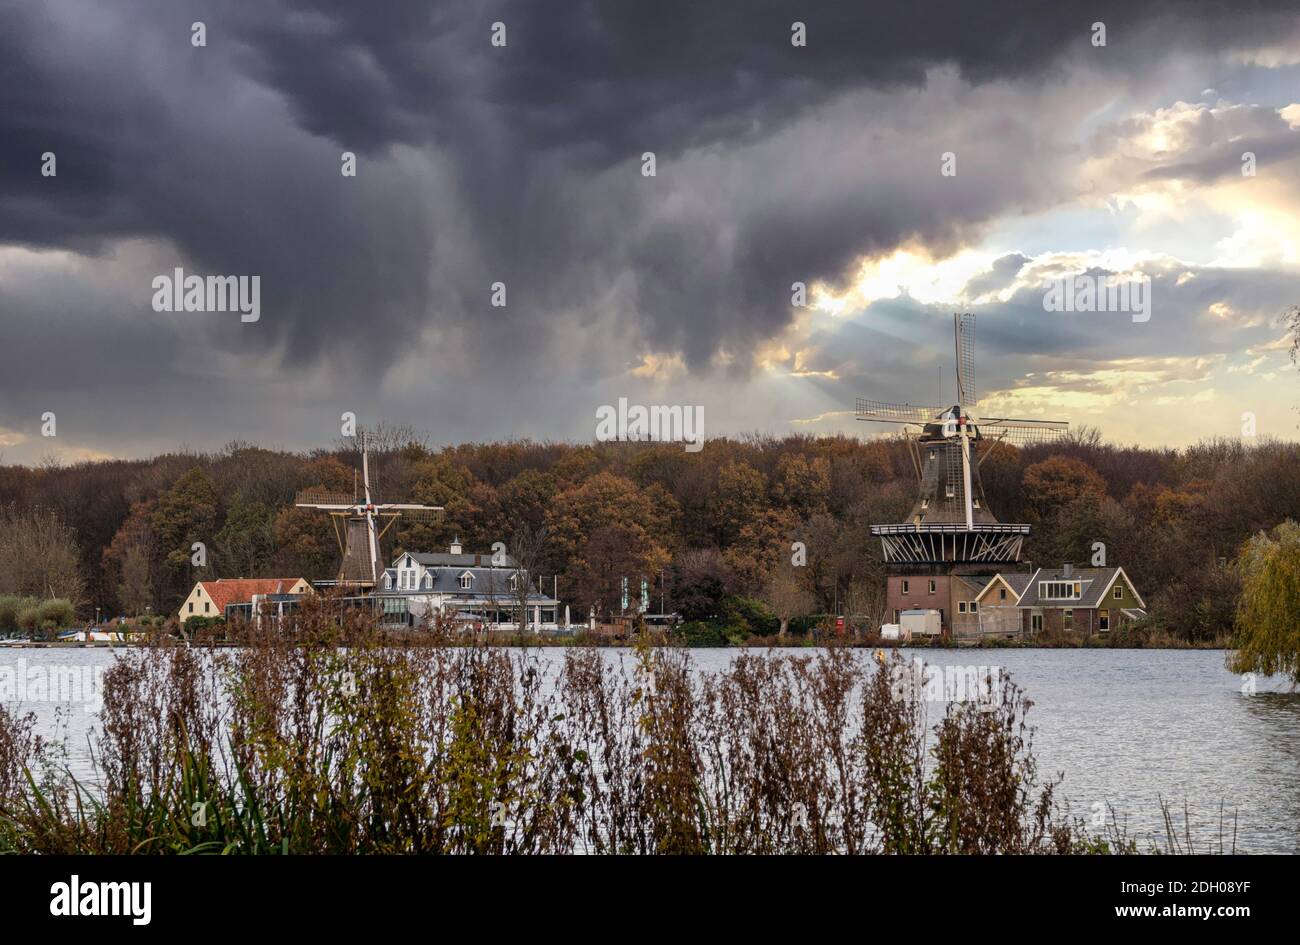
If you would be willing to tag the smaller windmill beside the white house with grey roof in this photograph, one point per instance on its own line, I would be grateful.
(361, 522)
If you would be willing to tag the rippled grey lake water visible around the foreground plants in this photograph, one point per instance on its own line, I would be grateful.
(1125, 727)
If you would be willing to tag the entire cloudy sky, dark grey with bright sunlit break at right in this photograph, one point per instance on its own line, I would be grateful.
(522, 164)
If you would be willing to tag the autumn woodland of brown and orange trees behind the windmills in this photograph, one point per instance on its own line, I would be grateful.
(708, 531)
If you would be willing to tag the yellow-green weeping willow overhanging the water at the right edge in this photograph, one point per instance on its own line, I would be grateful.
(1268, 617)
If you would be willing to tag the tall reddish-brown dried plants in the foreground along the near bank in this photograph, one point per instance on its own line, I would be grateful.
(326, 739)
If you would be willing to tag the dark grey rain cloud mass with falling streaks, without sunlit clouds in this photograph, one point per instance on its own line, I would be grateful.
(519, 164)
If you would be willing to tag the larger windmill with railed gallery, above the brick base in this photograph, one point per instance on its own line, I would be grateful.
(951, 523)
